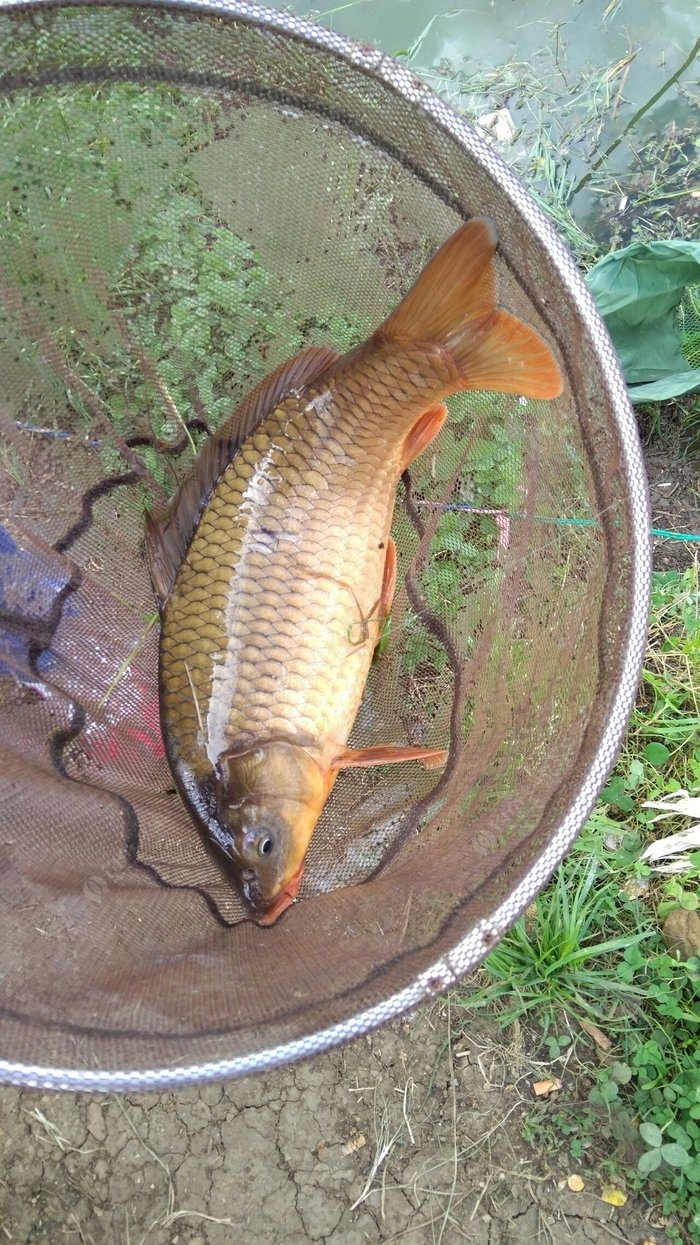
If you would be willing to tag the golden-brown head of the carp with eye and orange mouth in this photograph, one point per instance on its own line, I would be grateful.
(271, 797)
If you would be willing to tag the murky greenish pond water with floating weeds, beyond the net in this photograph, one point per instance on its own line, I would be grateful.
(603, 96)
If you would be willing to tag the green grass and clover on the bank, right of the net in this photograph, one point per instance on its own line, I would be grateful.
(589, 972)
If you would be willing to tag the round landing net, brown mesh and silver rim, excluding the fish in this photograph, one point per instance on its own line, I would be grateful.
(192, 196)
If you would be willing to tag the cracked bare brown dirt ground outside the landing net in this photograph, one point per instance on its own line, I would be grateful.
(398, 1137)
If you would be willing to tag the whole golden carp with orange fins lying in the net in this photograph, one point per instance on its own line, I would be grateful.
(275, 566)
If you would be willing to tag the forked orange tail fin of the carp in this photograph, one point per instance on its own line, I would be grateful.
(453, 306)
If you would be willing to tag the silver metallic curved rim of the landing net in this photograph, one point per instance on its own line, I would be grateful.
(471, 948)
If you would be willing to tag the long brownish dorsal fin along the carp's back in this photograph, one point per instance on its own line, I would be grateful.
(169, 535)
